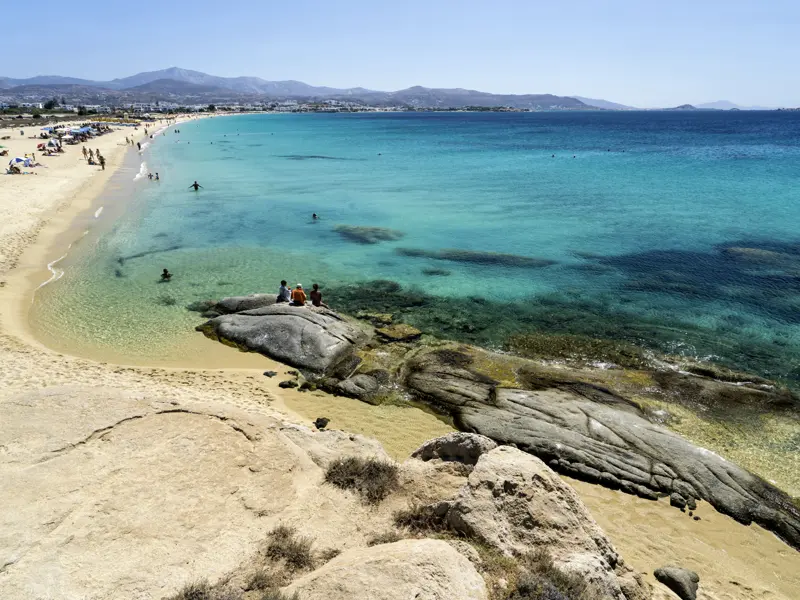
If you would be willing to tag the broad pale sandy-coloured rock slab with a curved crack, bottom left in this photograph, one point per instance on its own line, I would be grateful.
(108, 494)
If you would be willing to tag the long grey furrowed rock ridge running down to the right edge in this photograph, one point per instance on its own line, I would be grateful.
(602, 442)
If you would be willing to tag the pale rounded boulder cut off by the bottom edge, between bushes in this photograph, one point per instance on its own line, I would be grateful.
(429, 569)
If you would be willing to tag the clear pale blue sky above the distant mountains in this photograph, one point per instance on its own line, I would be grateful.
(639, 52)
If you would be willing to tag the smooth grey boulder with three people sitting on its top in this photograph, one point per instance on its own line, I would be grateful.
(315, 339)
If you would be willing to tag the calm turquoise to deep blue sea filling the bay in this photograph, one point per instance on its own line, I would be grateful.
(678, 231)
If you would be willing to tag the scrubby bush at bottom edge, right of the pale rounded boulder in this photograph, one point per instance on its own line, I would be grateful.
(540, 579)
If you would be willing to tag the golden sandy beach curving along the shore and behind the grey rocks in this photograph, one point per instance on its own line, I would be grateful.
(734, 561)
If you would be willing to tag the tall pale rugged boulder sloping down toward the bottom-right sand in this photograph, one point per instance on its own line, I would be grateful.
(514, 502)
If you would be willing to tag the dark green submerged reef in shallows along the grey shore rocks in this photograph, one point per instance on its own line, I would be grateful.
(590, 328)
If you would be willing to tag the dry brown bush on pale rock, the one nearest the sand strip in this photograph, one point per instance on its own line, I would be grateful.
(373, 479)
